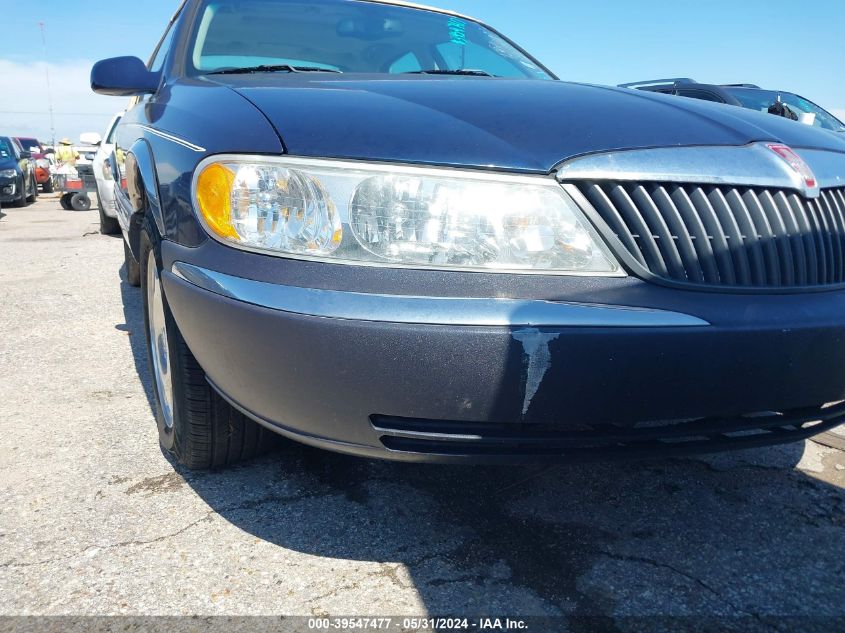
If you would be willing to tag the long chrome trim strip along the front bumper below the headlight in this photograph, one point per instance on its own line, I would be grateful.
(337, 304)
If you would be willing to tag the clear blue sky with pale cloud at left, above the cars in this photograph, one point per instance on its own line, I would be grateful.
(780, 44)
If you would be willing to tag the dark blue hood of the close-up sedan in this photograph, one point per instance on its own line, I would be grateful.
(520, 125)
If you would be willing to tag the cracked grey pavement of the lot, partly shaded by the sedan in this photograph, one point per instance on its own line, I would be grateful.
(95, 520)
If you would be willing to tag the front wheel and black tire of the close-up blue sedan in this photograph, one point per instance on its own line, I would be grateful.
(195, 425)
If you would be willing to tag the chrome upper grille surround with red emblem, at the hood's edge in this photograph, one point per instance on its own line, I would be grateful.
(753, 165)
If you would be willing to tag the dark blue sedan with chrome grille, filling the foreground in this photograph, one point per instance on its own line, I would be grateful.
(389, 231)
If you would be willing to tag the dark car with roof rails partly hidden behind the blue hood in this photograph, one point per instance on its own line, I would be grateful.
(785, 104)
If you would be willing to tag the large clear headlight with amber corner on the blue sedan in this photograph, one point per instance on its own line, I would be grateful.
(397, 216)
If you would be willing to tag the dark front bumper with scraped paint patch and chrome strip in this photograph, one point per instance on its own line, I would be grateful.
(493, 380)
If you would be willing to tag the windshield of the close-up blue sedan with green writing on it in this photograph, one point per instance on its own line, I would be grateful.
(349, 36)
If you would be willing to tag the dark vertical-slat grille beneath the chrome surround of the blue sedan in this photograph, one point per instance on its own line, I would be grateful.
(725, 235)
